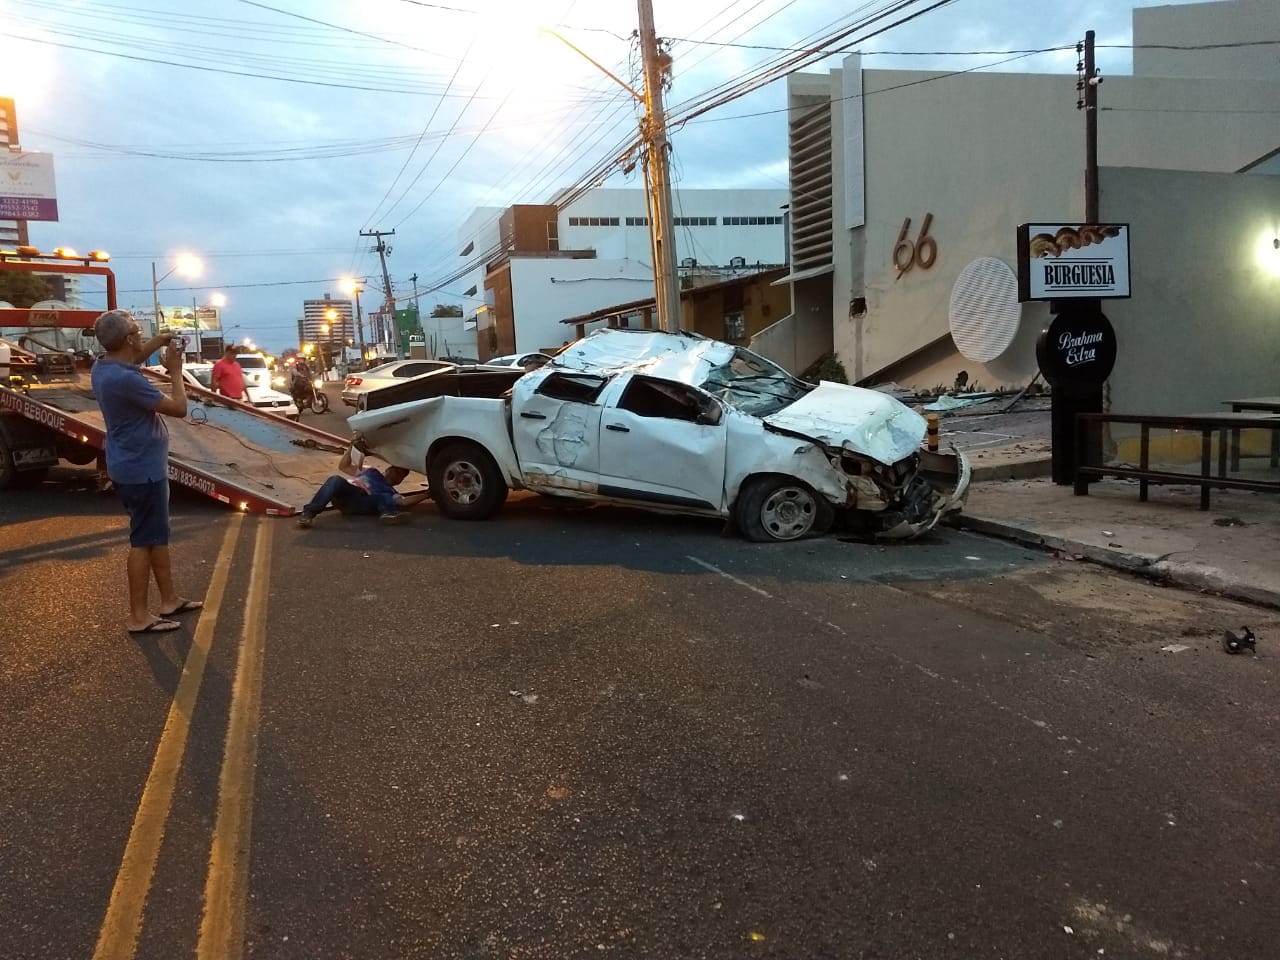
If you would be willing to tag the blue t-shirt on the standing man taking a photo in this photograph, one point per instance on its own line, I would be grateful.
(138, 440)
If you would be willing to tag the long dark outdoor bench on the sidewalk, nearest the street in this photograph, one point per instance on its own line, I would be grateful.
(1224, 427)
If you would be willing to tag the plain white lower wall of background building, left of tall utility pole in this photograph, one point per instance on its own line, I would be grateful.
(545, 292)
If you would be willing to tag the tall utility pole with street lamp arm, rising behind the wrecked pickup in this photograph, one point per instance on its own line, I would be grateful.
(655, 131)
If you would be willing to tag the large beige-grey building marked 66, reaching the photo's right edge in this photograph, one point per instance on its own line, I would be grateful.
(1186, 145)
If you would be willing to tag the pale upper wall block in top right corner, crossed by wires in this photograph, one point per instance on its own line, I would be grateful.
(1206, 25)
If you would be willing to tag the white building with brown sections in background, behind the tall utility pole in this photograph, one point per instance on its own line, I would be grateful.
(541, 264)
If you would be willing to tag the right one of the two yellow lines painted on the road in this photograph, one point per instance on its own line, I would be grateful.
(222, 930)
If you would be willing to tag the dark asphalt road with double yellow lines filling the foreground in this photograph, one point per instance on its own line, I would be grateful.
(583, 733)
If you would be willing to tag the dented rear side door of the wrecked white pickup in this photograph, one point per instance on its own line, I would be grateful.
(556, 431)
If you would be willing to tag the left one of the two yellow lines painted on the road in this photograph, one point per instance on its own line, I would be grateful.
(118, 939)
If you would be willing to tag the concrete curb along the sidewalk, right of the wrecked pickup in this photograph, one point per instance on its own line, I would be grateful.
(1188, 577)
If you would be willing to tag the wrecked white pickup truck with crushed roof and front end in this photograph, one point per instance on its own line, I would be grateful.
(679, 424)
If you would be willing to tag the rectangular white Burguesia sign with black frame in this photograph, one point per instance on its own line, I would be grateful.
(1073, 262)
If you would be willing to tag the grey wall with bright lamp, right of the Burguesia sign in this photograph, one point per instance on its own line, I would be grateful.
(1204, 324)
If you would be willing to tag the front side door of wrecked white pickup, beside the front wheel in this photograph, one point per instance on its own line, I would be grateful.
(662, 442)
